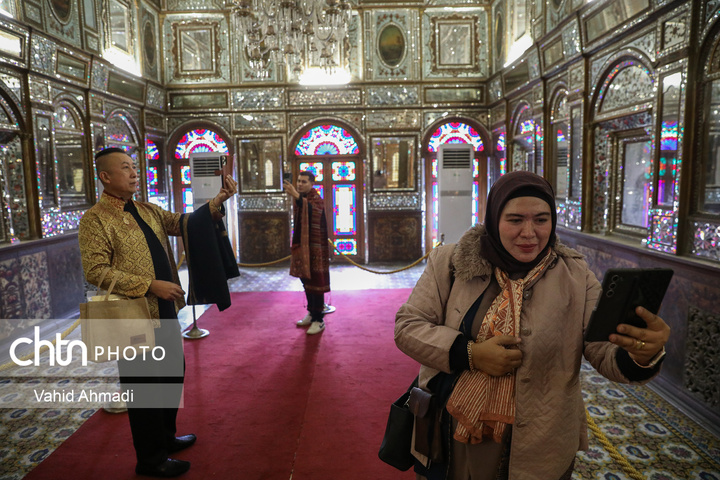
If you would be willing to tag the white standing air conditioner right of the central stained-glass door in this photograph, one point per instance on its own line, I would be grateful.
(455, 180)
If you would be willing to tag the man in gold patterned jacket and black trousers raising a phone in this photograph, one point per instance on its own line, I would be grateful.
(131, 238)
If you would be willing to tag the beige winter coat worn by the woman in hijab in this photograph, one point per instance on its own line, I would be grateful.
(550, 424)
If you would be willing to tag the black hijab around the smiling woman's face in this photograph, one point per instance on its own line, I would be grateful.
(509, 186)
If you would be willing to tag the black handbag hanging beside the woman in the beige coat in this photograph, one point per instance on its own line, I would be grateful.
(397, 441)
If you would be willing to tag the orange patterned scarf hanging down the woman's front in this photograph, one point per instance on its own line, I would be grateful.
(482, 404)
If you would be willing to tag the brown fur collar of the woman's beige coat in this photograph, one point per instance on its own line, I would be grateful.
(469, 264)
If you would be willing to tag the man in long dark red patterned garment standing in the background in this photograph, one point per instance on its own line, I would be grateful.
(309, 250)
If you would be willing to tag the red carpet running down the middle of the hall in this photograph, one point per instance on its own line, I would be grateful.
(268, 401)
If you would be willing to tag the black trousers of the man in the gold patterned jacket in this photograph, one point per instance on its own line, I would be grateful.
(156, 394)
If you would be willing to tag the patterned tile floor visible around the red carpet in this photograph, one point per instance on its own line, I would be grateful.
(654, 437)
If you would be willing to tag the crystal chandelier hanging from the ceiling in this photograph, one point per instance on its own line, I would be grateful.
(296, 33)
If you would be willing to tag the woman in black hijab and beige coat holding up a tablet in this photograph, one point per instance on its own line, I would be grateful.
(497, 324)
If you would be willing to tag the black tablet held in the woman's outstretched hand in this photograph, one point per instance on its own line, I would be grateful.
(624, 289)
